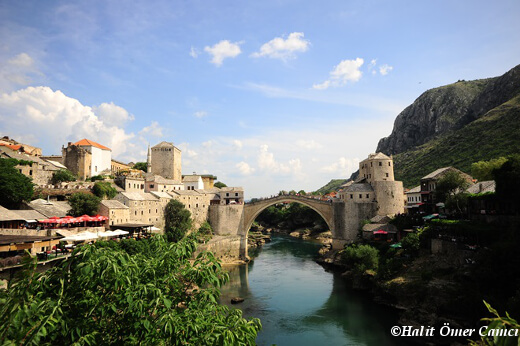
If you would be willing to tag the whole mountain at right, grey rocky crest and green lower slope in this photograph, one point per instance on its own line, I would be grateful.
(456, 125)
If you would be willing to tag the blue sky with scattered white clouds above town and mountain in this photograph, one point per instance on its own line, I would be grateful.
(267, 95)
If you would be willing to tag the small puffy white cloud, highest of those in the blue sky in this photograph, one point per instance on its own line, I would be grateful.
(278, 48)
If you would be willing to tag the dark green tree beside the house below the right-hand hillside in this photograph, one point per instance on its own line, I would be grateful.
(450, 190)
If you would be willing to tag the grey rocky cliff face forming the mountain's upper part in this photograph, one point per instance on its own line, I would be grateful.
(443, 110)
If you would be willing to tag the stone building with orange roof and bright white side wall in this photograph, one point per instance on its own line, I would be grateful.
(87, 158)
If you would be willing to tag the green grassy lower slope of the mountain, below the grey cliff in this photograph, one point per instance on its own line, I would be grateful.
(495, 134)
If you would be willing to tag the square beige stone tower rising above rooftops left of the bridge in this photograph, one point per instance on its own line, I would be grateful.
(166, 161)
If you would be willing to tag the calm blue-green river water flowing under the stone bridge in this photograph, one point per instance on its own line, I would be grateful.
(300, 303)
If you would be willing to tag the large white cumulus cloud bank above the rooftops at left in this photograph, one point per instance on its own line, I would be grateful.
(55, 119)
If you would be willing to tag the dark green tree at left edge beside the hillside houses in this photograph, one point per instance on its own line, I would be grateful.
(14, 186)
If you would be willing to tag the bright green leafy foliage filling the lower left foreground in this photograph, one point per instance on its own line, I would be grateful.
(104, 296)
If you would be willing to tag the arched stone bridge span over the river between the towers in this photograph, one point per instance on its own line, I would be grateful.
(323, 208)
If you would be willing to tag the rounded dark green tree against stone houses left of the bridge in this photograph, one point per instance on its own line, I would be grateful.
(177, 221)
